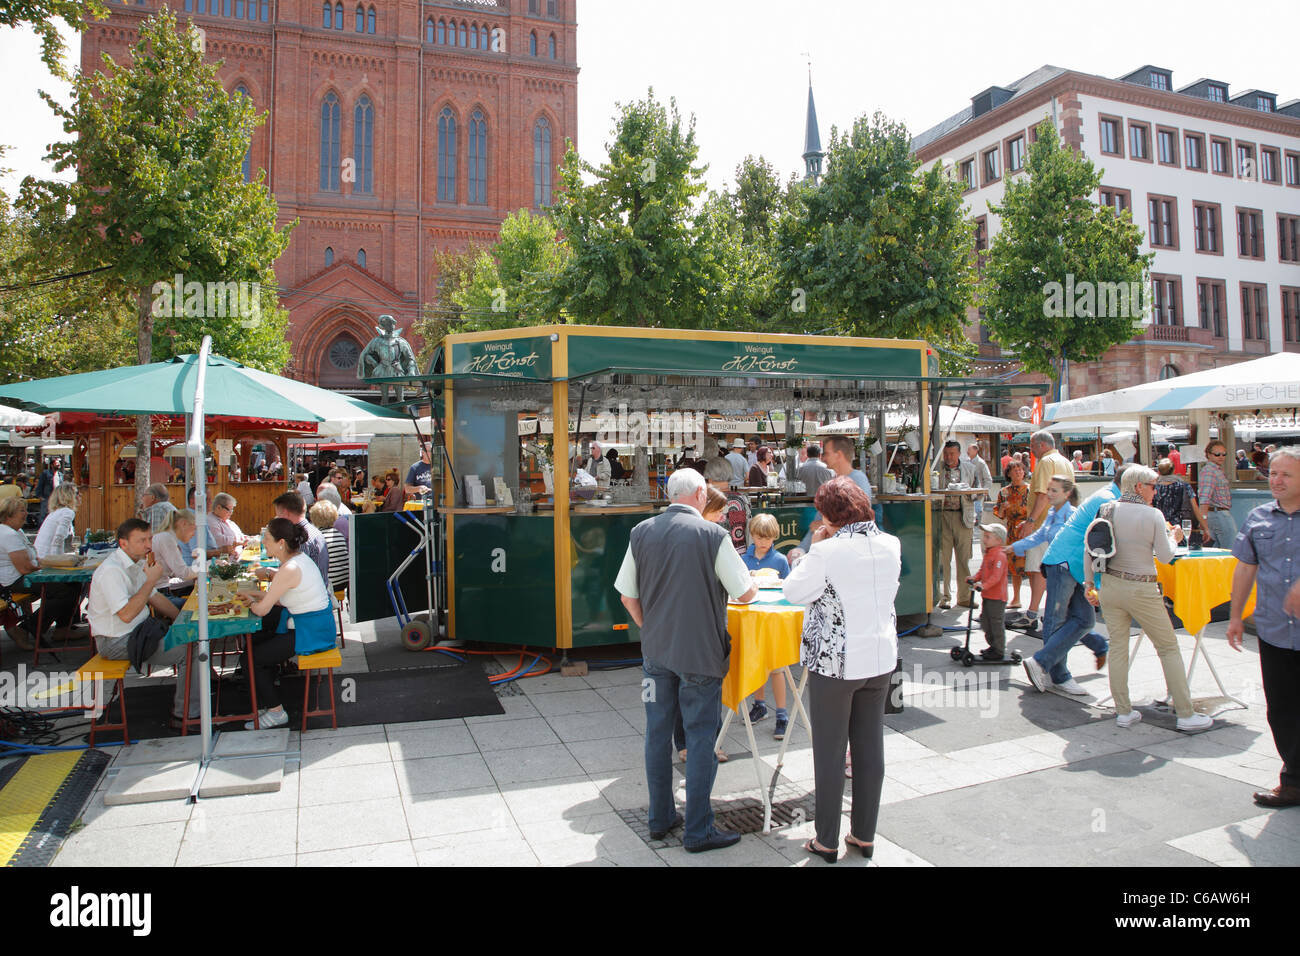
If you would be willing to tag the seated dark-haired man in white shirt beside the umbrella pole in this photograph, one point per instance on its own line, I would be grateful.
(122, 594)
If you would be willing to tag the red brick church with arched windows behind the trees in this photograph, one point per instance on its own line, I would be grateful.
(396, 129)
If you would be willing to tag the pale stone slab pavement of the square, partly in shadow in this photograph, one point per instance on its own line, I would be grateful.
(977, 775)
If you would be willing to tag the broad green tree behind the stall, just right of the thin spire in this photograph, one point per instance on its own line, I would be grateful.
(879, 248)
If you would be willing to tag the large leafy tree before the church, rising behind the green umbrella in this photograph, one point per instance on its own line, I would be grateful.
(158, 149)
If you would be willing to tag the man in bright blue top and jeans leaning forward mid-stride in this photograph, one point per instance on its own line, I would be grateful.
(1068, 618)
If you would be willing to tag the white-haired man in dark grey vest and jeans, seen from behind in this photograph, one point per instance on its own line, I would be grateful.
(675, 581)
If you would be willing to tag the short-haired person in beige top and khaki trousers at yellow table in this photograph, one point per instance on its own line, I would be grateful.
(1129, 592)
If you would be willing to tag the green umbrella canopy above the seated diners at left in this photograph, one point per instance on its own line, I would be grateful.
(167, 388)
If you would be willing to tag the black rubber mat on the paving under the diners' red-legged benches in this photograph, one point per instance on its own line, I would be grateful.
(396, 697)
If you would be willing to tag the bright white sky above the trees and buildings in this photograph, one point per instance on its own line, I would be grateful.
(739, 66)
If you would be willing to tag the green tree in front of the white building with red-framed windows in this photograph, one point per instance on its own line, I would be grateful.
(1055, 237)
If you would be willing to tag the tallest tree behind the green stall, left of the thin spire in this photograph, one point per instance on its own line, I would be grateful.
(639, 257)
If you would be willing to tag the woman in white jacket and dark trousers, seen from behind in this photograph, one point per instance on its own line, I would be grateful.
(848, 581)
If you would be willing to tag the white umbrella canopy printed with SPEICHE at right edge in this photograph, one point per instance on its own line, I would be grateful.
(1272, 382)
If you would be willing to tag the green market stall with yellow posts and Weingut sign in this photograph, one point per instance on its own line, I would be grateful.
(531, 561)
